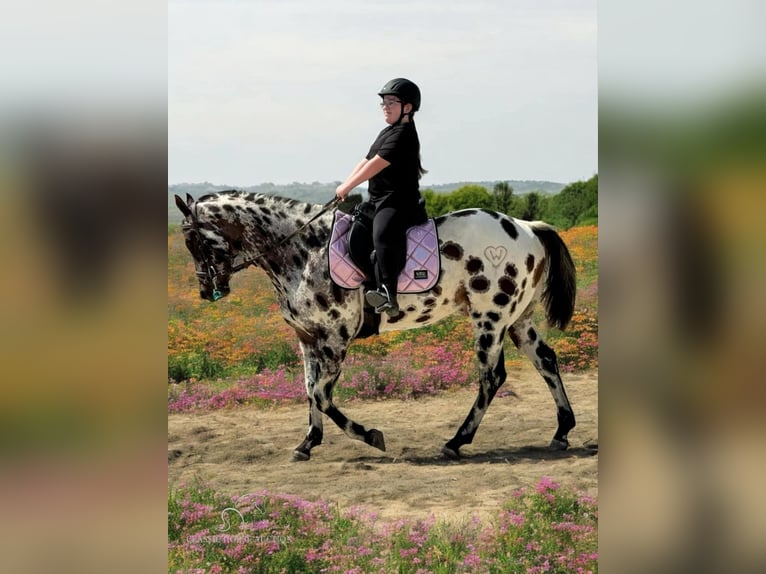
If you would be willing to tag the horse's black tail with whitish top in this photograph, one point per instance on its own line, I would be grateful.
(560, 282)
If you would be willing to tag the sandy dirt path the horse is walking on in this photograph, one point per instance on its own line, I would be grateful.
(248, 450)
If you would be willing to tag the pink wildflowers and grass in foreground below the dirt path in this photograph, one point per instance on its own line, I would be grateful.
(547, 529)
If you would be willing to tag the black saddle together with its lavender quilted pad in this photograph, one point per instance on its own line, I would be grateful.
(352, 254)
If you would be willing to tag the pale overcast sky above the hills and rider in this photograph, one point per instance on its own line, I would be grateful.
(282, 92)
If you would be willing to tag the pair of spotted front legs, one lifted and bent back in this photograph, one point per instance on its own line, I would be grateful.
(322, 370)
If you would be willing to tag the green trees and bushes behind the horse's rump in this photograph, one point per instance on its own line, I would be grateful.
(576, 204)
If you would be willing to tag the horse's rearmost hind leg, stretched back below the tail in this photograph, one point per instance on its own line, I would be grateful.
(526, 337)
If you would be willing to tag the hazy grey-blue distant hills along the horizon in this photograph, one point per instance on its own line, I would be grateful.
(321, 193)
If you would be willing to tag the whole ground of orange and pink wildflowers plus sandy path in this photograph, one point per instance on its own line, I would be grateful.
(236, 407)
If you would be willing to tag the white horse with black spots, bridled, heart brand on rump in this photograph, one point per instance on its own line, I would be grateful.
(494, 269)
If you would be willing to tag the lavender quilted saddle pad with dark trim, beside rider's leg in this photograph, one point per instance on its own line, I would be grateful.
(420, 273)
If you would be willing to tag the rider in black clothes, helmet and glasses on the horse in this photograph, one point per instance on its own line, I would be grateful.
(393, 169)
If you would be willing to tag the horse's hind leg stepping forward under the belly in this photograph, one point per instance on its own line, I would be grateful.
(489, 350)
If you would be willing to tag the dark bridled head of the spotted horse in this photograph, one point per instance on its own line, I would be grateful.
(211, 250)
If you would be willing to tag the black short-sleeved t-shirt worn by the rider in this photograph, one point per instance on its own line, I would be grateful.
(399, 145)
